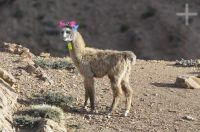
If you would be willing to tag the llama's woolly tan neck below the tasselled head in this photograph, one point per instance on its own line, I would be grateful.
(78, 48)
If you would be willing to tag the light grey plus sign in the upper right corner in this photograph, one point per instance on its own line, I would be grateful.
(186, 14)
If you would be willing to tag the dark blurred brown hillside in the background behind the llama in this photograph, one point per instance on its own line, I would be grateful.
(150, 28)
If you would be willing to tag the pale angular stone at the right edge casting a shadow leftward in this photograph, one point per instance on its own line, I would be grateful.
(191, 82)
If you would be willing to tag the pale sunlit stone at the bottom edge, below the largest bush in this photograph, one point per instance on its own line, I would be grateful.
(47, 125)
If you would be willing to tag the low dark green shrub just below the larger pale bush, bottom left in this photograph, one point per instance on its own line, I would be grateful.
(25, 121)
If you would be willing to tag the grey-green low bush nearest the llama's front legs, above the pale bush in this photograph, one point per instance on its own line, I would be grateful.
(57, 99)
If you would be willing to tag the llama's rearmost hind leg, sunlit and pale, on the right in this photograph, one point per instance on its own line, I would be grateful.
(128, 93)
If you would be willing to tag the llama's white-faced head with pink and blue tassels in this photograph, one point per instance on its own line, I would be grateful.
(68, 28)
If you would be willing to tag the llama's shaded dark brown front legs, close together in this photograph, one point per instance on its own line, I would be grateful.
(89, 92)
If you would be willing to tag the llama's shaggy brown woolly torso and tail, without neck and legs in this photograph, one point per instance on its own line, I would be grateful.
(104, 61)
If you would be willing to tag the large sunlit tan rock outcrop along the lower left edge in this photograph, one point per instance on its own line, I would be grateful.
(8, 99)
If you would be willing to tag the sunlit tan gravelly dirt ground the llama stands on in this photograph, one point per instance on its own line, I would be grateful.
(158, 106)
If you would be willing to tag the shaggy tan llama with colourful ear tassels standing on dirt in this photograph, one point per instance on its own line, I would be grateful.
(95, 63)
